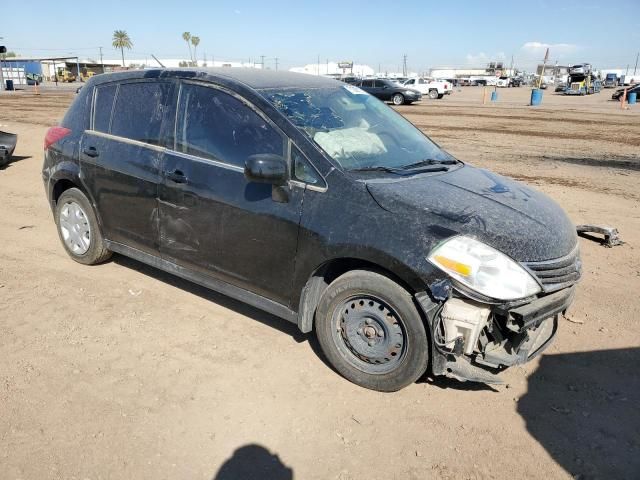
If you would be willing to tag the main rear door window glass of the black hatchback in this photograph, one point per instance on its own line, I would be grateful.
(139, 110)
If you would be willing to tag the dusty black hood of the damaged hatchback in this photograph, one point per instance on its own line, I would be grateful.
(511, 217)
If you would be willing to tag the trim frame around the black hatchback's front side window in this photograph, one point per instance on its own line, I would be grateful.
(220, 162)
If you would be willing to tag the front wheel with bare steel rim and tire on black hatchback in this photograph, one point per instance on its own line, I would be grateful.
(371, 332)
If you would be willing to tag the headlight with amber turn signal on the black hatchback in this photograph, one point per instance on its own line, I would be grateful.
(483, 269)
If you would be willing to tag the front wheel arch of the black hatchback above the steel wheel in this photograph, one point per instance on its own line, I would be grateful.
(326, 273)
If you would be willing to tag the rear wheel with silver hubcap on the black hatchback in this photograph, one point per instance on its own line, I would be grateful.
(78, 228)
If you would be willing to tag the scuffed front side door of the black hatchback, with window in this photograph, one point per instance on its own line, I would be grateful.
(212, 220)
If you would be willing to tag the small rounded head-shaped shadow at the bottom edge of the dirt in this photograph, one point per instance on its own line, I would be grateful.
(253, 462)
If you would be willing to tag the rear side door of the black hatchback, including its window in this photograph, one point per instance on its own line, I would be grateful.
(120, 159)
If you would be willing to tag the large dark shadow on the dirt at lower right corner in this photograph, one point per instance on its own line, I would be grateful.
(584, 409)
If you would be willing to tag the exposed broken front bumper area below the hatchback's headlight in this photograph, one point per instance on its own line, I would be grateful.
(509, 334)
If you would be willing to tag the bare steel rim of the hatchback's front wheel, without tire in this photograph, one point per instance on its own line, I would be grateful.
(369, 334)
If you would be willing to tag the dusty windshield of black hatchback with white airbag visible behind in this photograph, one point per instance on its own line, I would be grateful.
(355, 129)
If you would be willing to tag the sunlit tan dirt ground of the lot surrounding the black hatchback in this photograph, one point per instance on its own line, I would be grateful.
(121, 371)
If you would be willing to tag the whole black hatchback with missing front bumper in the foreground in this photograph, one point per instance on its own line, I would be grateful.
(312, 200)
